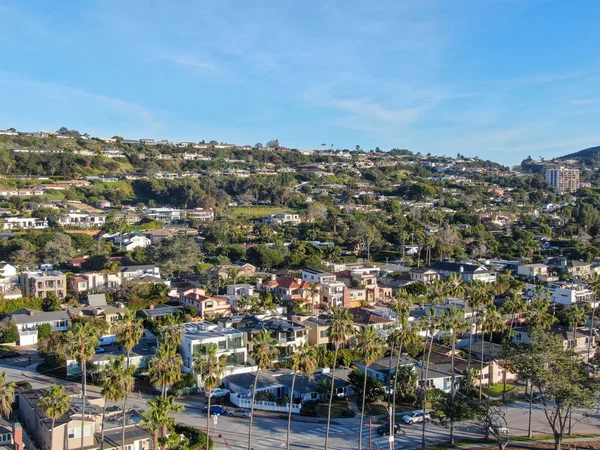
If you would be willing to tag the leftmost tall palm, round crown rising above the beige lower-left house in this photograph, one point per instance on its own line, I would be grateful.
(81, 342)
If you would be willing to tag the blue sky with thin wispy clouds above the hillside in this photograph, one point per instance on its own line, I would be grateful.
(500, 79)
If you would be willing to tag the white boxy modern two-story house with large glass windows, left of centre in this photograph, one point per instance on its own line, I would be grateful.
(198, 335)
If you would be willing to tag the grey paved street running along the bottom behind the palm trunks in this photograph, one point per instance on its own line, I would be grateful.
(270, 432)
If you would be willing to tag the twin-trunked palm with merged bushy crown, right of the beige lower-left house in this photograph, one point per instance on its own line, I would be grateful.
(117, 384)
